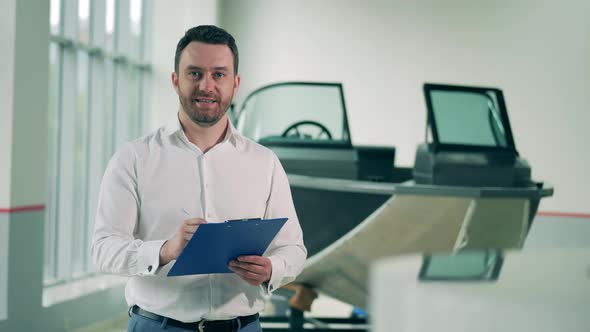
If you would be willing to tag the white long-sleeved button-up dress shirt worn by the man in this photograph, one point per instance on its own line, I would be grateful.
(147, 185)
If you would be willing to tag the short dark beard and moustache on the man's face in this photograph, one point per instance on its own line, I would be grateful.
(205, 116)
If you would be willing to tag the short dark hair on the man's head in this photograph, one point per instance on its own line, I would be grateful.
(208, 34)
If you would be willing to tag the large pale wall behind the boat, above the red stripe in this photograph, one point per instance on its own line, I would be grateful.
(384, 50)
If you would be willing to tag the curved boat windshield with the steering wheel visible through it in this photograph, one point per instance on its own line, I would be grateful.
(297, 113)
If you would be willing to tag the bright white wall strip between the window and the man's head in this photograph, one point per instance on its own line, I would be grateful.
(170, 21)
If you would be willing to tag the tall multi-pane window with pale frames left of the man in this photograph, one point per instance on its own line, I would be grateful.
(97, 80)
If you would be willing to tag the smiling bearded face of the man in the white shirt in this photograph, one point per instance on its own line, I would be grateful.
(205, 82)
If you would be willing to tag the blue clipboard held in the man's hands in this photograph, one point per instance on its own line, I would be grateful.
(213, 246)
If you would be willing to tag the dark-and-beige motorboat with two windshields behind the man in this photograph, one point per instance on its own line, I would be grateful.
(468, 189)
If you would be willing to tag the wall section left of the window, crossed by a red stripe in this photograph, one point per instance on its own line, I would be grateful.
(24, 75)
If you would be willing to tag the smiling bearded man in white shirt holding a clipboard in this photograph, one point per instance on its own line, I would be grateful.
(196, 165)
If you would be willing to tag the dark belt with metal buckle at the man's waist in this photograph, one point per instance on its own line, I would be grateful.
(230, 325)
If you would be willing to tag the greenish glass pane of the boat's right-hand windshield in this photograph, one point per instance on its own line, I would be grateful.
(468, 118)
